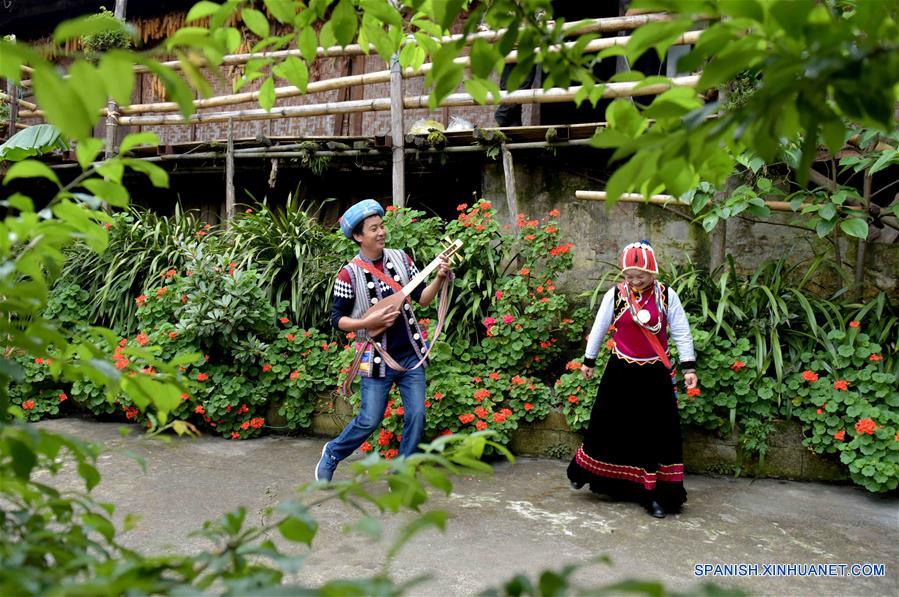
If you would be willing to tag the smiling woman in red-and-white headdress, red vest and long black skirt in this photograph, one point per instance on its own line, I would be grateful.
(632, 448)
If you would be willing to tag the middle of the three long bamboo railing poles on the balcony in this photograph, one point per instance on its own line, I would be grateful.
(383, 76)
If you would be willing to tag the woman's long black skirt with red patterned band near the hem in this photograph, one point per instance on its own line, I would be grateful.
(632, 448)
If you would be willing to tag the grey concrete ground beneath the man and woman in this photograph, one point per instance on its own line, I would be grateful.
(522, 519)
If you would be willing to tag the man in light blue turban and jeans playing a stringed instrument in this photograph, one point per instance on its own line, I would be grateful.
(396, 355)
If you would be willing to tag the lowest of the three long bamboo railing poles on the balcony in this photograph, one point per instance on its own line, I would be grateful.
(525, 96)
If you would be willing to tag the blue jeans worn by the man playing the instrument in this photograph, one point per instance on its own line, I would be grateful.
(374, 391)
